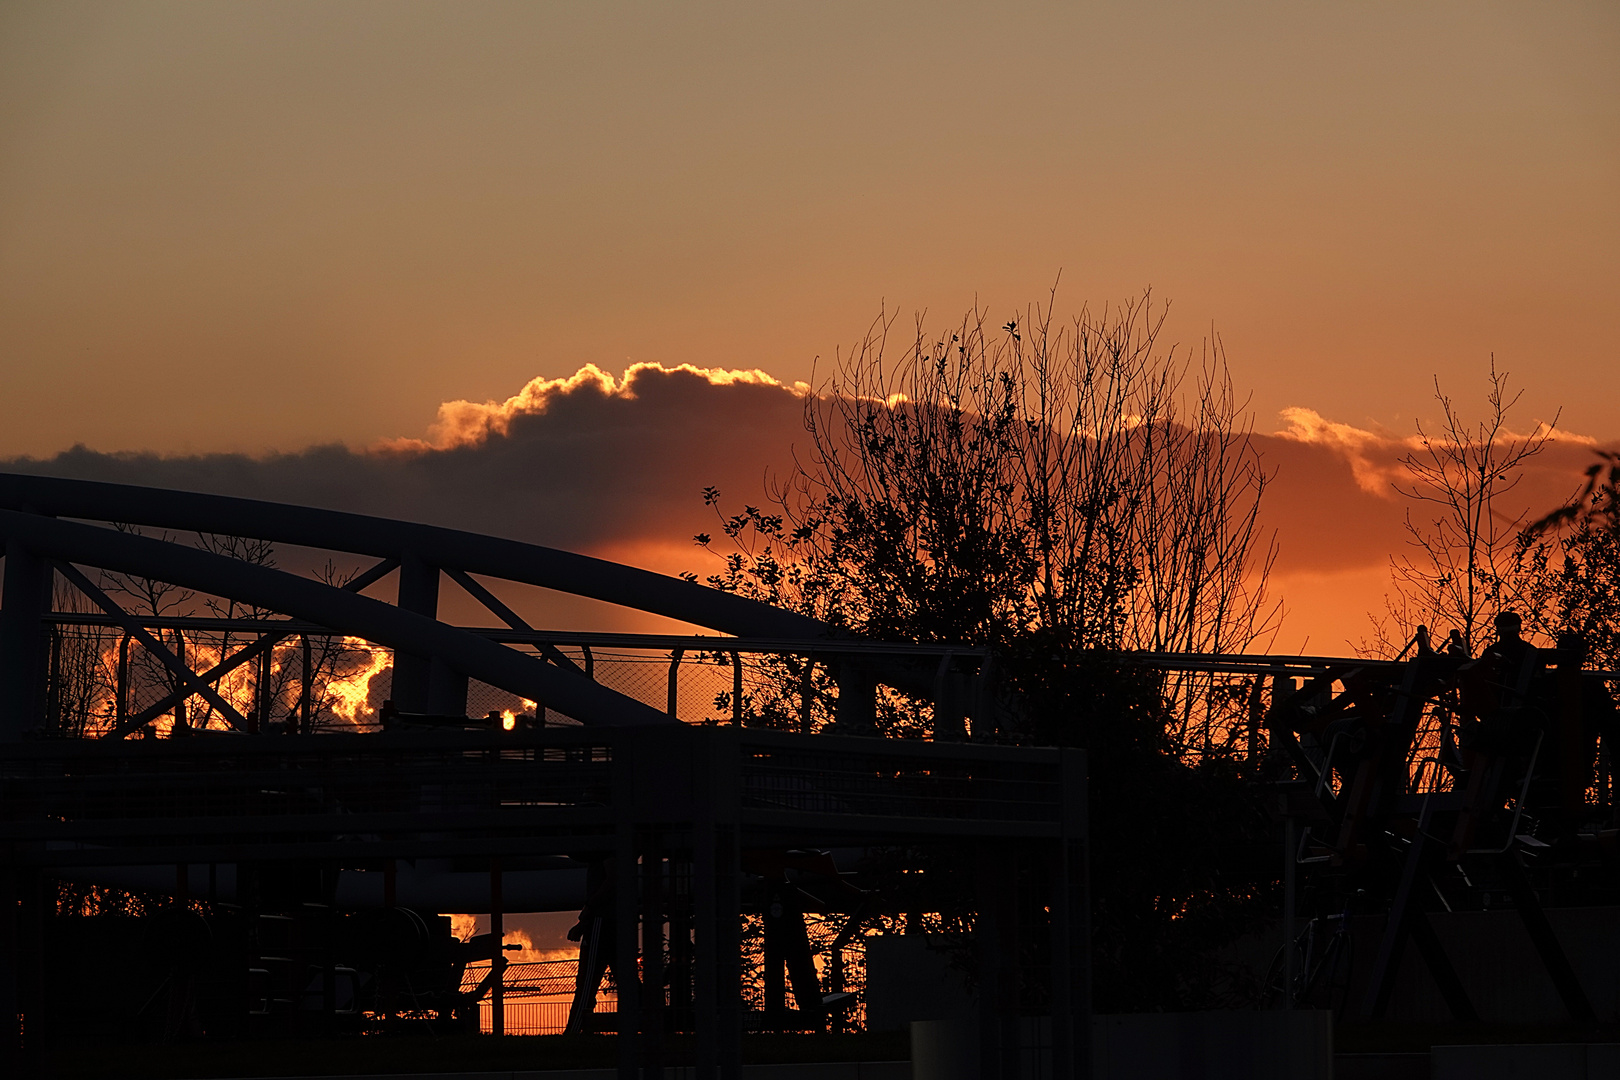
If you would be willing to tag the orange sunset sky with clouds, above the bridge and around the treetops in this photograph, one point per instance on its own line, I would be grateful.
(254, 229)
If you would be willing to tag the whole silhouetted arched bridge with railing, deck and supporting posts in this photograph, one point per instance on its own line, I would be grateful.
(292, 861)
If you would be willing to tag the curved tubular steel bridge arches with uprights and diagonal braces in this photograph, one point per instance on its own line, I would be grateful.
(45, 530)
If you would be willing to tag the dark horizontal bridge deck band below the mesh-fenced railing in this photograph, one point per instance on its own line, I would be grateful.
(108, 802)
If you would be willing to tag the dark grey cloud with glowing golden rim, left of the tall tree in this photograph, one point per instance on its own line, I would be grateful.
(586, 462)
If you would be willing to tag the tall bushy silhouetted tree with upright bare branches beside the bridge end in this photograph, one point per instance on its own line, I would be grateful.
(1060, 495)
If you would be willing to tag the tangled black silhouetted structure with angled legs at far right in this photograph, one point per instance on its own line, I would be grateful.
(1425, 801)
